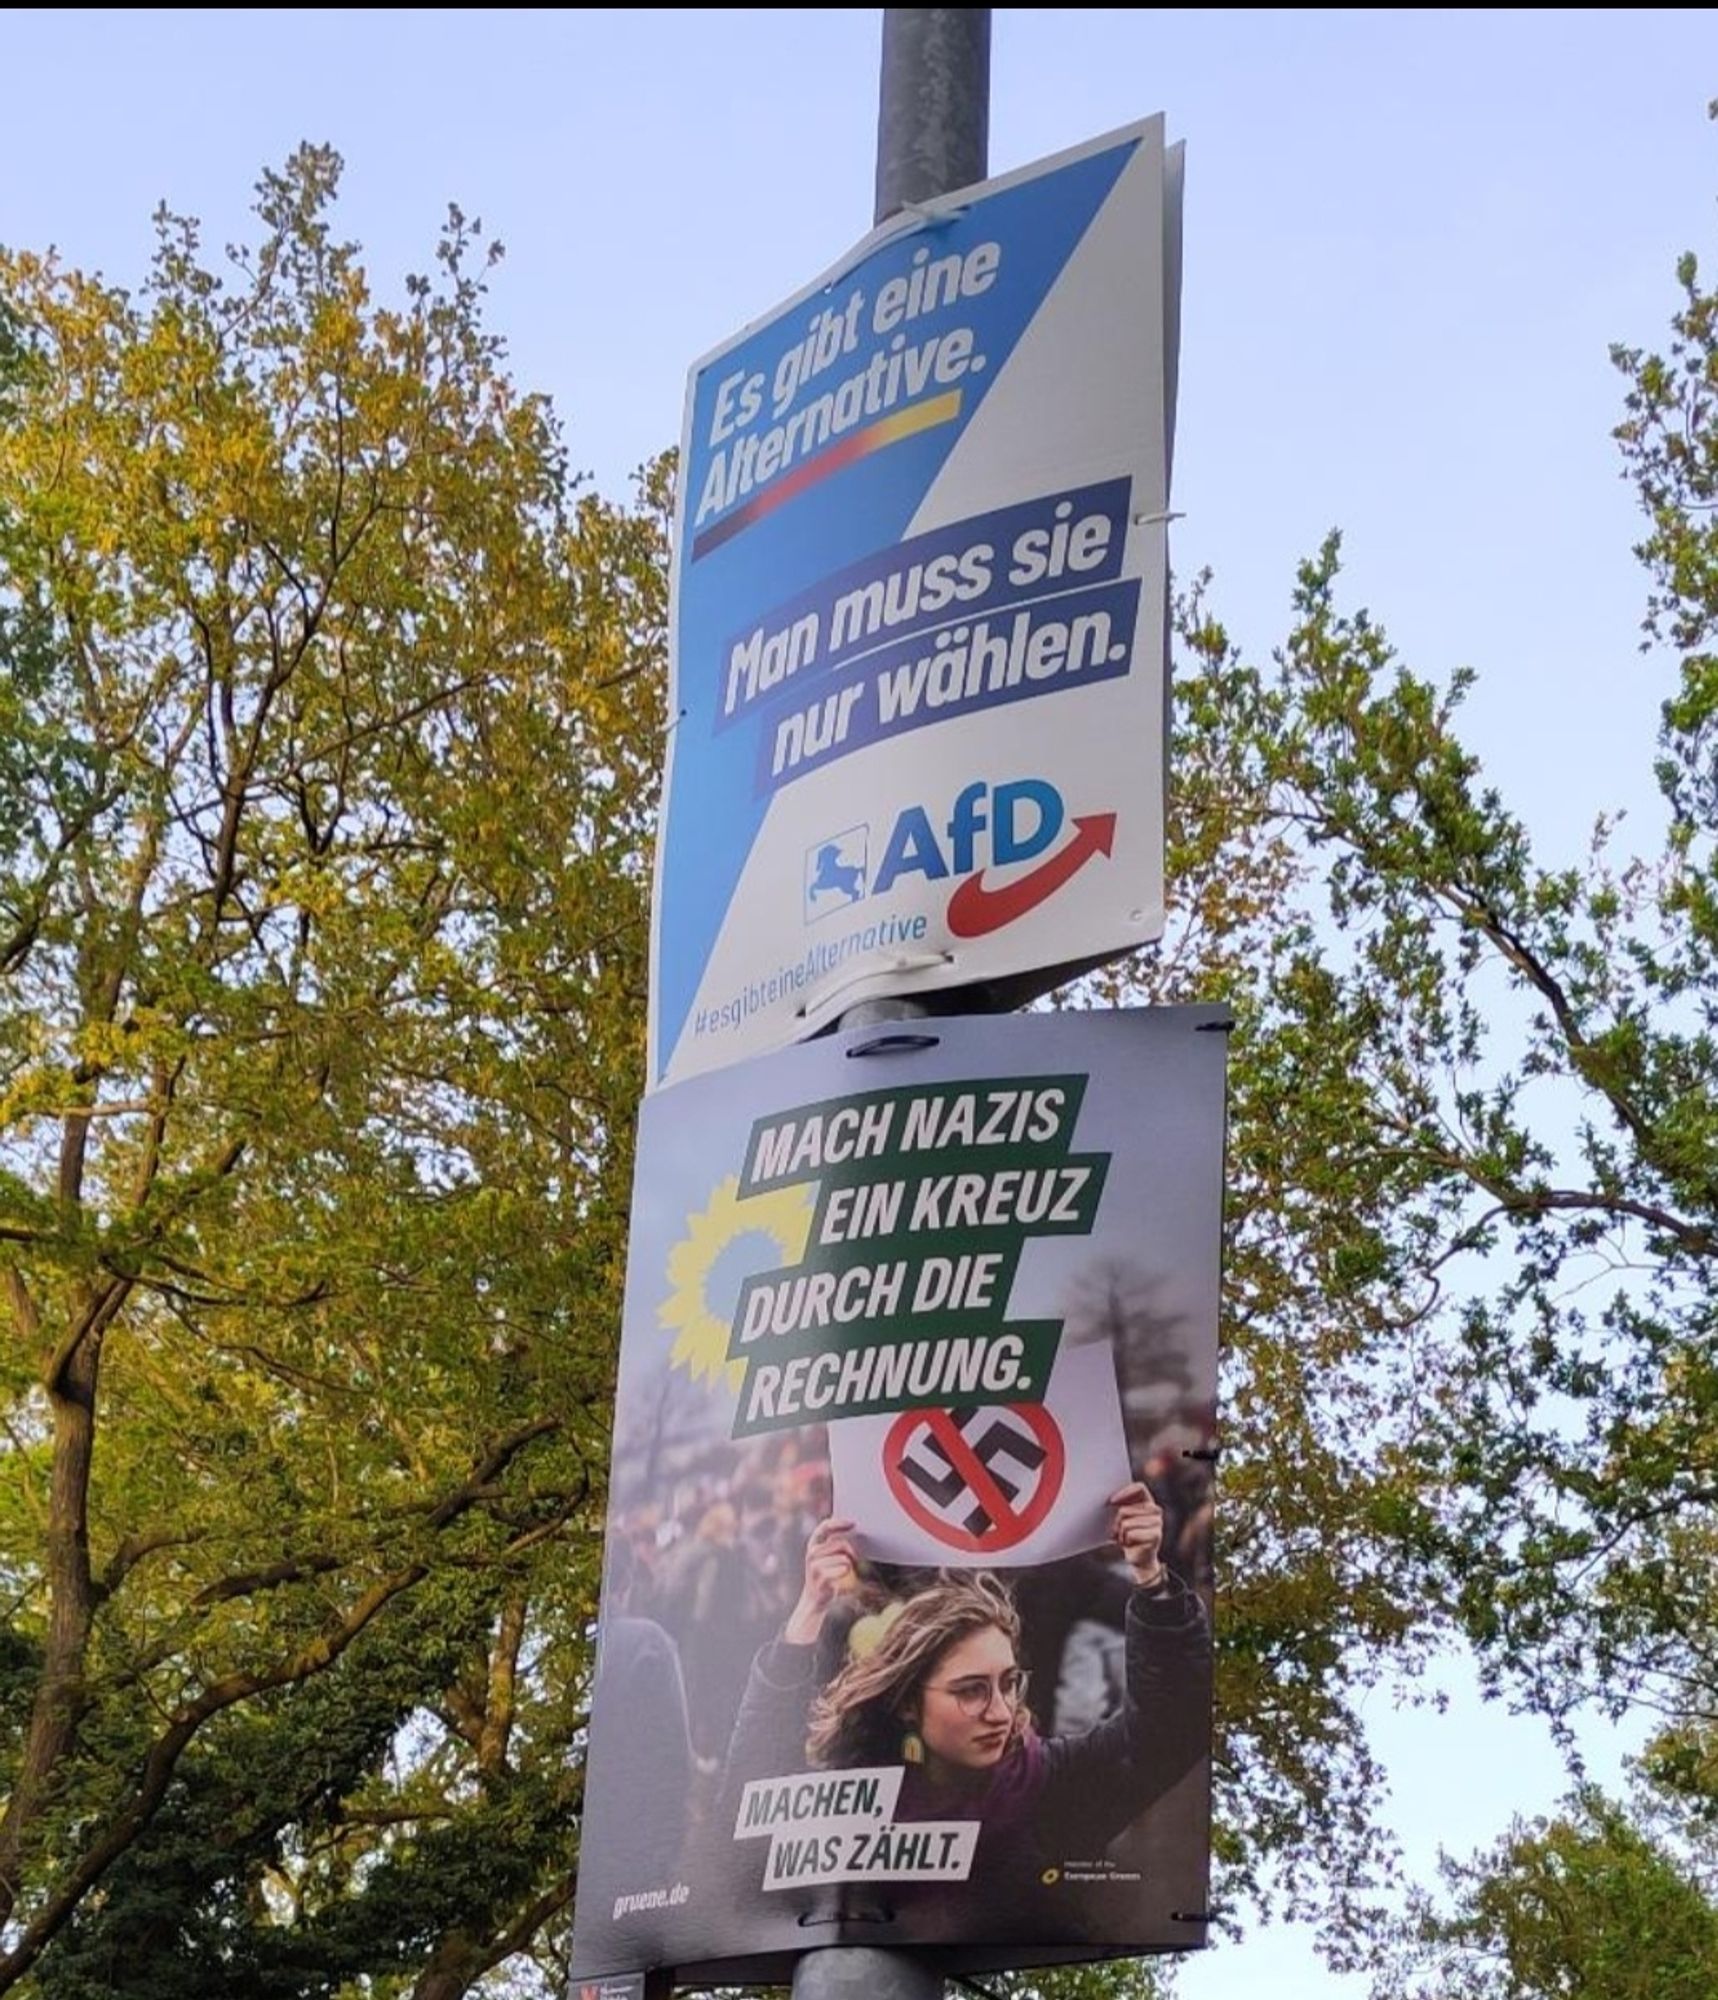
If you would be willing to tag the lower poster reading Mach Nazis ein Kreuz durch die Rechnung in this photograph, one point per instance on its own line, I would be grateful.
(905, 1631)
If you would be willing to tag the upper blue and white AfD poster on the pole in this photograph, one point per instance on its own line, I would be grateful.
(919, 615)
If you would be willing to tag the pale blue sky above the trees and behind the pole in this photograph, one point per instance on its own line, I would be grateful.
(1411, 241)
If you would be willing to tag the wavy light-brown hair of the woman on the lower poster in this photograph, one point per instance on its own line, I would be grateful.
(861, 1715)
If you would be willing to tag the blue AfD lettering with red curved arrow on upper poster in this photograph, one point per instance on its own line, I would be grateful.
(993, 827)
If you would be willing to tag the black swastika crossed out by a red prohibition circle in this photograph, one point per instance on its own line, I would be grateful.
(977, 1479)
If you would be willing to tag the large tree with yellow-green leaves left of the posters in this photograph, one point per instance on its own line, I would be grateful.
(327, 759)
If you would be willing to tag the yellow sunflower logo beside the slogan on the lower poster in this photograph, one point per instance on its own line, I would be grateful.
(725, 1245)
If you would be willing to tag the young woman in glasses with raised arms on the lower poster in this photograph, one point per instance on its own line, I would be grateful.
(937, 1687)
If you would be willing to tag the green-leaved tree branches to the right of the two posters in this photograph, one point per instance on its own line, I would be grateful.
(1475, 1145)
